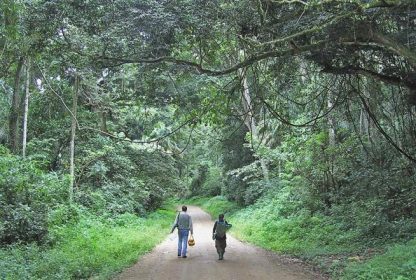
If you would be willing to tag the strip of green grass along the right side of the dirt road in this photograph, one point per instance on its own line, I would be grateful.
(315, 239)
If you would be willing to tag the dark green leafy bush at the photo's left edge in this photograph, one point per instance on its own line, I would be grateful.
(26, 195)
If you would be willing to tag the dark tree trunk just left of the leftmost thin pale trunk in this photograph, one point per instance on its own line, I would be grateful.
(14, 110)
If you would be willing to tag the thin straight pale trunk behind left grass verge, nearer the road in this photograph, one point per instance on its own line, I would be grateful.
(72, 143)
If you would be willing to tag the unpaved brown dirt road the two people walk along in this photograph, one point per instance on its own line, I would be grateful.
(241, 261)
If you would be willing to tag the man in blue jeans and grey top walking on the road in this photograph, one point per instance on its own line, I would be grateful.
(183, 222)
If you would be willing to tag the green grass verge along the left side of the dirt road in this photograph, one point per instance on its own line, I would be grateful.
(91, 249)
